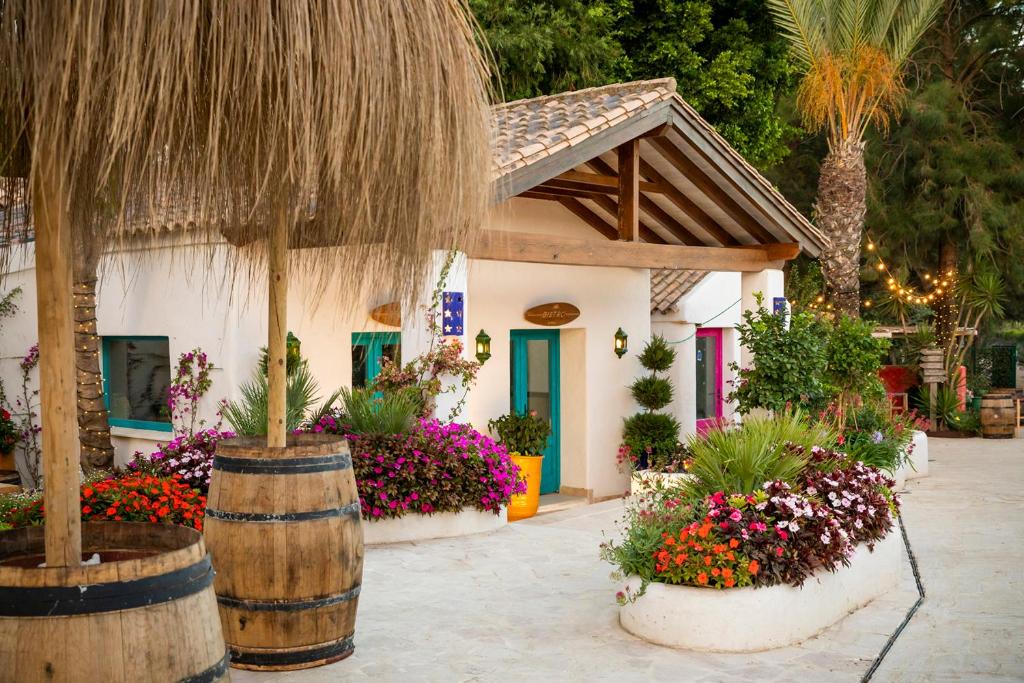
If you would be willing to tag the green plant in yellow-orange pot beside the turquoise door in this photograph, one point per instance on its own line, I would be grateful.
(526, 438)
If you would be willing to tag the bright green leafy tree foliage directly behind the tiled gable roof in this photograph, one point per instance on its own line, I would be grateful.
(728, 58)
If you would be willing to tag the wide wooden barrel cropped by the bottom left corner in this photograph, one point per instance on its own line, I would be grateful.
(147, 614)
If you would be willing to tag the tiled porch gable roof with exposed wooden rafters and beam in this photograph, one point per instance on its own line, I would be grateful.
(646, 172)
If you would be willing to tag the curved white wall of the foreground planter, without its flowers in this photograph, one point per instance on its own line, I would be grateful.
(748, 620)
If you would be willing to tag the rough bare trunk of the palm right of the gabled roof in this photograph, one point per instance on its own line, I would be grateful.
(840, 210)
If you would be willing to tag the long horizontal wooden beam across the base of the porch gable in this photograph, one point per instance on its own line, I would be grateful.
(536, 248)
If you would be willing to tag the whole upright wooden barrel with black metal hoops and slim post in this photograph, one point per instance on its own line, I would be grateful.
(283, 527)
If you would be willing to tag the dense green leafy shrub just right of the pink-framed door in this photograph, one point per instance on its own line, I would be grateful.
(790, 361)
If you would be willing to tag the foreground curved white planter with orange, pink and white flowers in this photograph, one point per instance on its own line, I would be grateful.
(793, 515)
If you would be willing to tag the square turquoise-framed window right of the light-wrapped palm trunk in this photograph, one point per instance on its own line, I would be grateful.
(137, 377)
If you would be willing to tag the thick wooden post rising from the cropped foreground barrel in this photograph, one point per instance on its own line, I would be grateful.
(55, 253)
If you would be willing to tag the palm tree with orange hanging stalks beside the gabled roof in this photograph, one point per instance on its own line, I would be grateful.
(851, 54)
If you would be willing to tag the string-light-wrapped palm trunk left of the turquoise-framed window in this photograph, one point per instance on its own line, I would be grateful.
(94, 425)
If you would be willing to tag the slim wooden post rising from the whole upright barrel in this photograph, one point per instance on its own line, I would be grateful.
(278, 333)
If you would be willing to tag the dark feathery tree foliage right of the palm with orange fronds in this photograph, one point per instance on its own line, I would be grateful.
(951, 182)
